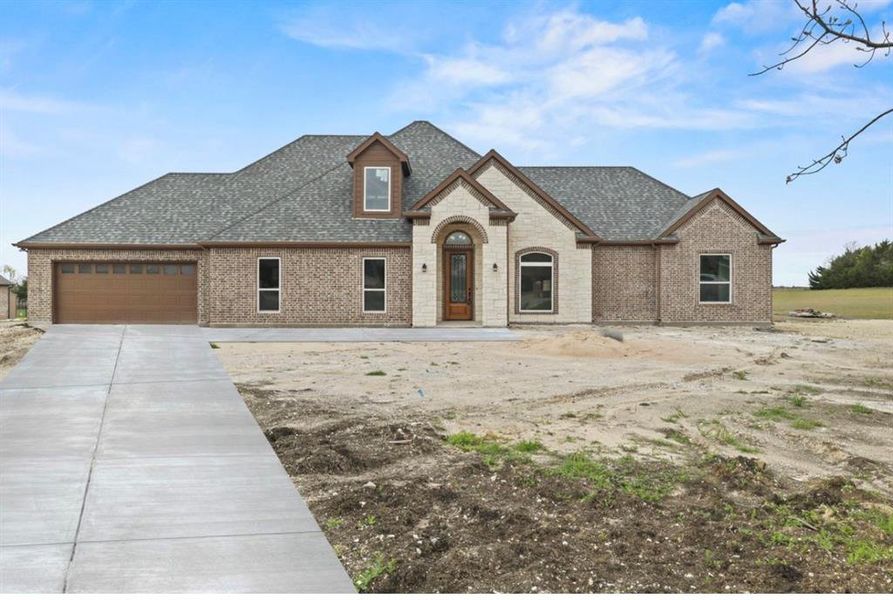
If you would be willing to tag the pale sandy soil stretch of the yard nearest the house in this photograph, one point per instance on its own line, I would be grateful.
(573, 389)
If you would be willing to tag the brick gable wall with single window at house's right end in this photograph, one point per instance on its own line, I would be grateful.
(716, 229)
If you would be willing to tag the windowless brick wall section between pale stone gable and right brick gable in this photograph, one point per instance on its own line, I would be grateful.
(624, 283)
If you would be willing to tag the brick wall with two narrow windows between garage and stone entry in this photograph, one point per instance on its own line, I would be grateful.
(319, 286)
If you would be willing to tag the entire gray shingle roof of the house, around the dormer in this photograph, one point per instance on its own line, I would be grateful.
(302, 192)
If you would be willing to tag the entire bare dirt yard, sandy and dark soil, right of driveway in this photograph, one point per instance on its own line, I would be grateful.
(701, 459)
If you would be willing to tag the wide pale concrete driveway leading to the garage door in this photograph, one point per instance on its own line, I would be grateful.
(129, 463)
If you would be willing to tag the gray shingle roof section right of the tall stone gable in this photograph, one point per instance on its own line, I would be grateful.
(617, 203)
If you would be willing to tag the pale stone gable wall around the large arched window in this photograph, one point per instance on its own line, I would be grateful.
(537, 226)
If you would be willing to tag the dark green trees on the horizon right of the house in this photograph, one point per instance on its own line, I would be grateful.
(868, 266)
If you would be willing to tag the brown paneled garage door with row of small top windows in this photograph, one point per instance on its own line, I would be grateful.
(125, 293)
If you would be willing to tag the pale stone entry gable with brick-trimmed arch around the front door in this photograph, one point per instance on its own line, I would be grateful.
(471, 215)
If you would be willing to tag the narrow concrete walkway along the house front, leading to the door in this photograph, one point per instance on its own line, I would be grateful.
(359, 334)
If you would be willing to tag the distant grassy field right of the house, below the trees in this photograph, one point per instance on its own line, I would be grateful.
(856, 303)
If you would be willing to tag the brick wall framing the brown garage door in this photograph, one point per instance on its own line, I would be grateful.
(40, 273)
